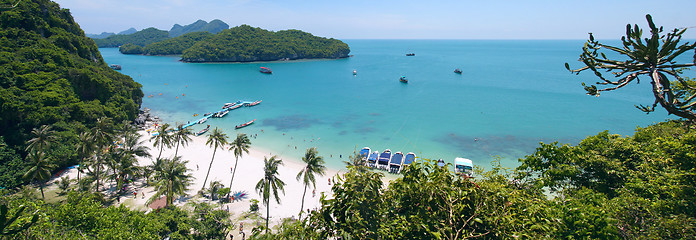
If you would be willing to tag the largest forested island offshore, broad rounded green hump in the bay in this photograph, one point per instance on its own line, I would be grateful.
(245, 43)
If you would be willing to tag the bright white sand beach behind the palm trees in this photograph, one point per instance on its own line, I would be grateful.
(249, 172)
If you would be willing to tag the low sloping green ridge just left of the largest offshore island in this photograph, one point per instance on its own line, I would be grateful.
(172, 46)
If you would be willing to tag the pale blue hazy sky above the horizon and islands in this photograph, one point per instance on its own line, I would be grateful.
(394, 19)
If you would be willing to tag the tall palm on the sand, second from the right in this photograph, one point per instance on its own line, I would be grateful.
(270, 182)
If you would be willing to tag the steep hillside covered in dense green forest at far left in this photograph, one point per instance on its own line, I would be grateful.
(51, 74)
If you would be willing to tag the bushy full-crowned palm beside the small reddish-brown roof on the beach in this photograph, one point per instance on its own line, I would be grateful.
(171, 179)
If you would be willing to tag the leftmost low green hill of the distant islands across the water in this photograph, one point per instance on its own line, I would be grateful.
(140, 38)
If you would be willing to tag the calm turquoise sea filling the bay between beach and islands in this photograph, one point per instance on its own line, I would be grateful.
(512, 95)
